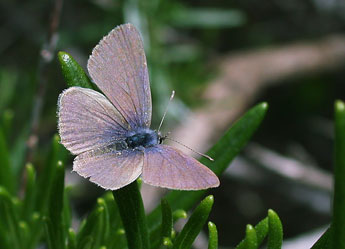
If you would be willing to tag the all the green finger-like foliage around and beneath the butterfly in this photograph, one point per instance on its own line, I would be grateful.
(118, 219)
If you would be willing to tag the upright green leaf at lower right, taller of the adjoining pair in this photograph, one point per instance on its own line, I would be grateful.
(275, 231)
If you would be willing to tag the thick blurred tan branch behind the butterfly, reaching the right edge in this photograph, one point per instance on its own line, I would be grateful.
(243, 75)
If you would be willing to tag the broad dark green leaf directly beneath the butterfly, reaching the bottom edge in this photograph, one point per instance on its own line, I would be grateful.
(133, 217)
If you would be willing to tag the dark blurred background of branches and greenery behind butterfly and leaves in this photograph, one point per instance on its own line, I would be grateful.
(221, 57)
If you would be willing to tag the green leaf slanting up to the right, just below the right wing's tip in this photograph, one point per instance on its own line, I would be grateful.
(186, 237)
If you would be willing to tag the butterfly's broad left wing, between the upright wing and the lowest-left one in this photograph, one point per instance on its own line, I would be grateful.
(87, 120)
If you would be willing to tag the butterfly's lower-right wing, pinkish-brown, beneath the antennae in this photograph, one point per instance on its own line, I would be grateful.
(167, 167)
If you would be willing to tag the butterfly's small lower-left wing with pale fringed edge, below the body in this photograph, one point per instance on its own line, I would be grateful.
(109, 168)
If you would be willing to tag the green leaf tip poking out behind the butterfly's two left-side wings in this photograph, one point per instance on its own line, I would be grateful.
(73, 72)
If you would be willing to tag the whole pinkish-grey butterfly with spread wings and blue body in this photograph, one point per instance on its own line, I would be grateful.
(110, 134)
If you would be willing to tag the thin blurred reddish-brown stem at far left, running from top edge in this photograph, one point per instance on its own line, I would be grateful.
(46, 56)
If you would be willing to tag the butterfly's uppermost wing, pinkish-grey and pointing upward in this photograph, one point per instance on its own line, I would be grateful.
(118, 67)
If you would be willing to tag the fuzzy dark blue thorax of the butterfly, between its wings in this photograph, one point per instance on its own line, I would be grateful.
(142, 138)
